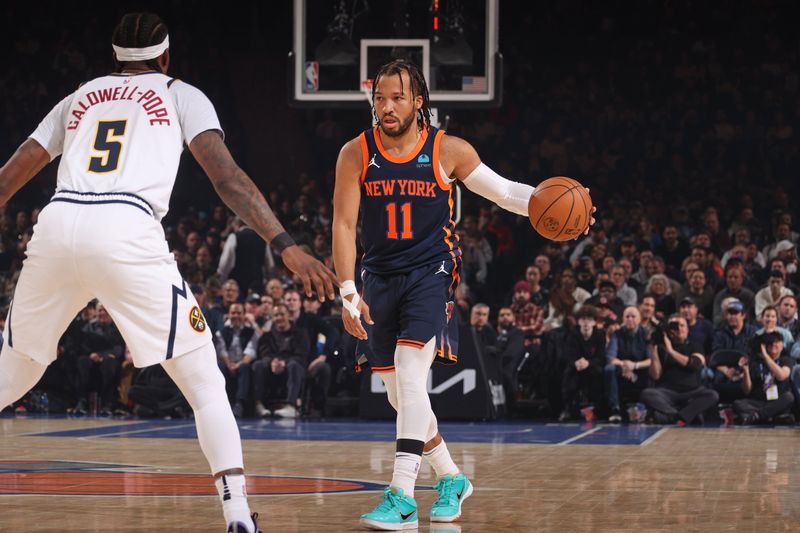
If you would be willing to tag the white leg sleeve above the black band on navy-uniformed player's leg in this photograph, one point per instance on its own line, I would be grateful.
(414, 414)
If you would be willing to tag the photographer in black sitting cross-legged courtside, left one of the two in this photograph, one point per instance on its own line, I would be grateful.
(676, 361)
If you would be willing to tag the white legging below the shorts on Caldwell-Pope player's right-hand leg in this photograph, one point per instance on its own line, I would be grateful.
(197, 376)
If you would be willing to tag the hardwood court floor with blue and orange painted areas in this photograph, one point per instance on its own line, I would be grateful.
(60, 474)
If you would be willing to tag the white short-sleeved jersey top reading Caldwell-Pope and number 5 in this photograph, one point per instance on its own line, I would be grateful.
(124, 133)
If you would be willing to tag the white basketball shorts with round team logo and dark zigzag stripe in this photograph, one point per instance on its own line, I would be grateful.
(108, 247)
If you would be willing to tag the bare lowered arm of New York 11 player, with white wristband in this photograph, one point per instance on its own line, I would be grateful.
(346, 199)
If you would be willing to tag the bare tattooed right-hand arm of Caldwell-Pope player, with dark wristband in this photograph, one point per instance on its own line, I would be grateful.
(239, 193)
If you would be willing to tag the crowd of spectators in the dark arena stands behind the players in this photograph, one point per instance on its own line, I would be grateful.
(680, 117)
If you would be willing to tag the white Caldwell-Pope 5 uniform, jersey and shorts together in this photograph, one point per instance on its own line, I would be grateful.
(120, 138)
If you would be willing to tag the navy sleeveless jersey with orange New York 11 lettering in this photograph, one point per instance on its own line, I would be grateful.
(406, 206)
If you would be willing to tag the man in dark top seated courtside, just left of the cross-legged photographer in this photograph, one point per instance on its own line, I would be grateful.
(628, 358)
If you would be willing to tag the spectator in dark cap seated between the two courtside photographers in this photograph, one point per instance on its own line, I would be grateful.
(733, 334)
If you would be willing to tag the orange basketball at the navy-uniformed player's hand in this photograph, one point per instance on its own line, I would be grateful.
(560, 208)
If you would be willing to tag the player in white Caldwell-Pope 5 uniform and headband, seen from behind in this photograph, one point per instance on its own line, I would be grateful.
(120, 138)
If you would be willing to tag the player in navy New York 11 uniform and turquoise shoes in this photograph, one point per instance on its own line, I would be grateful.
(400, 175)
